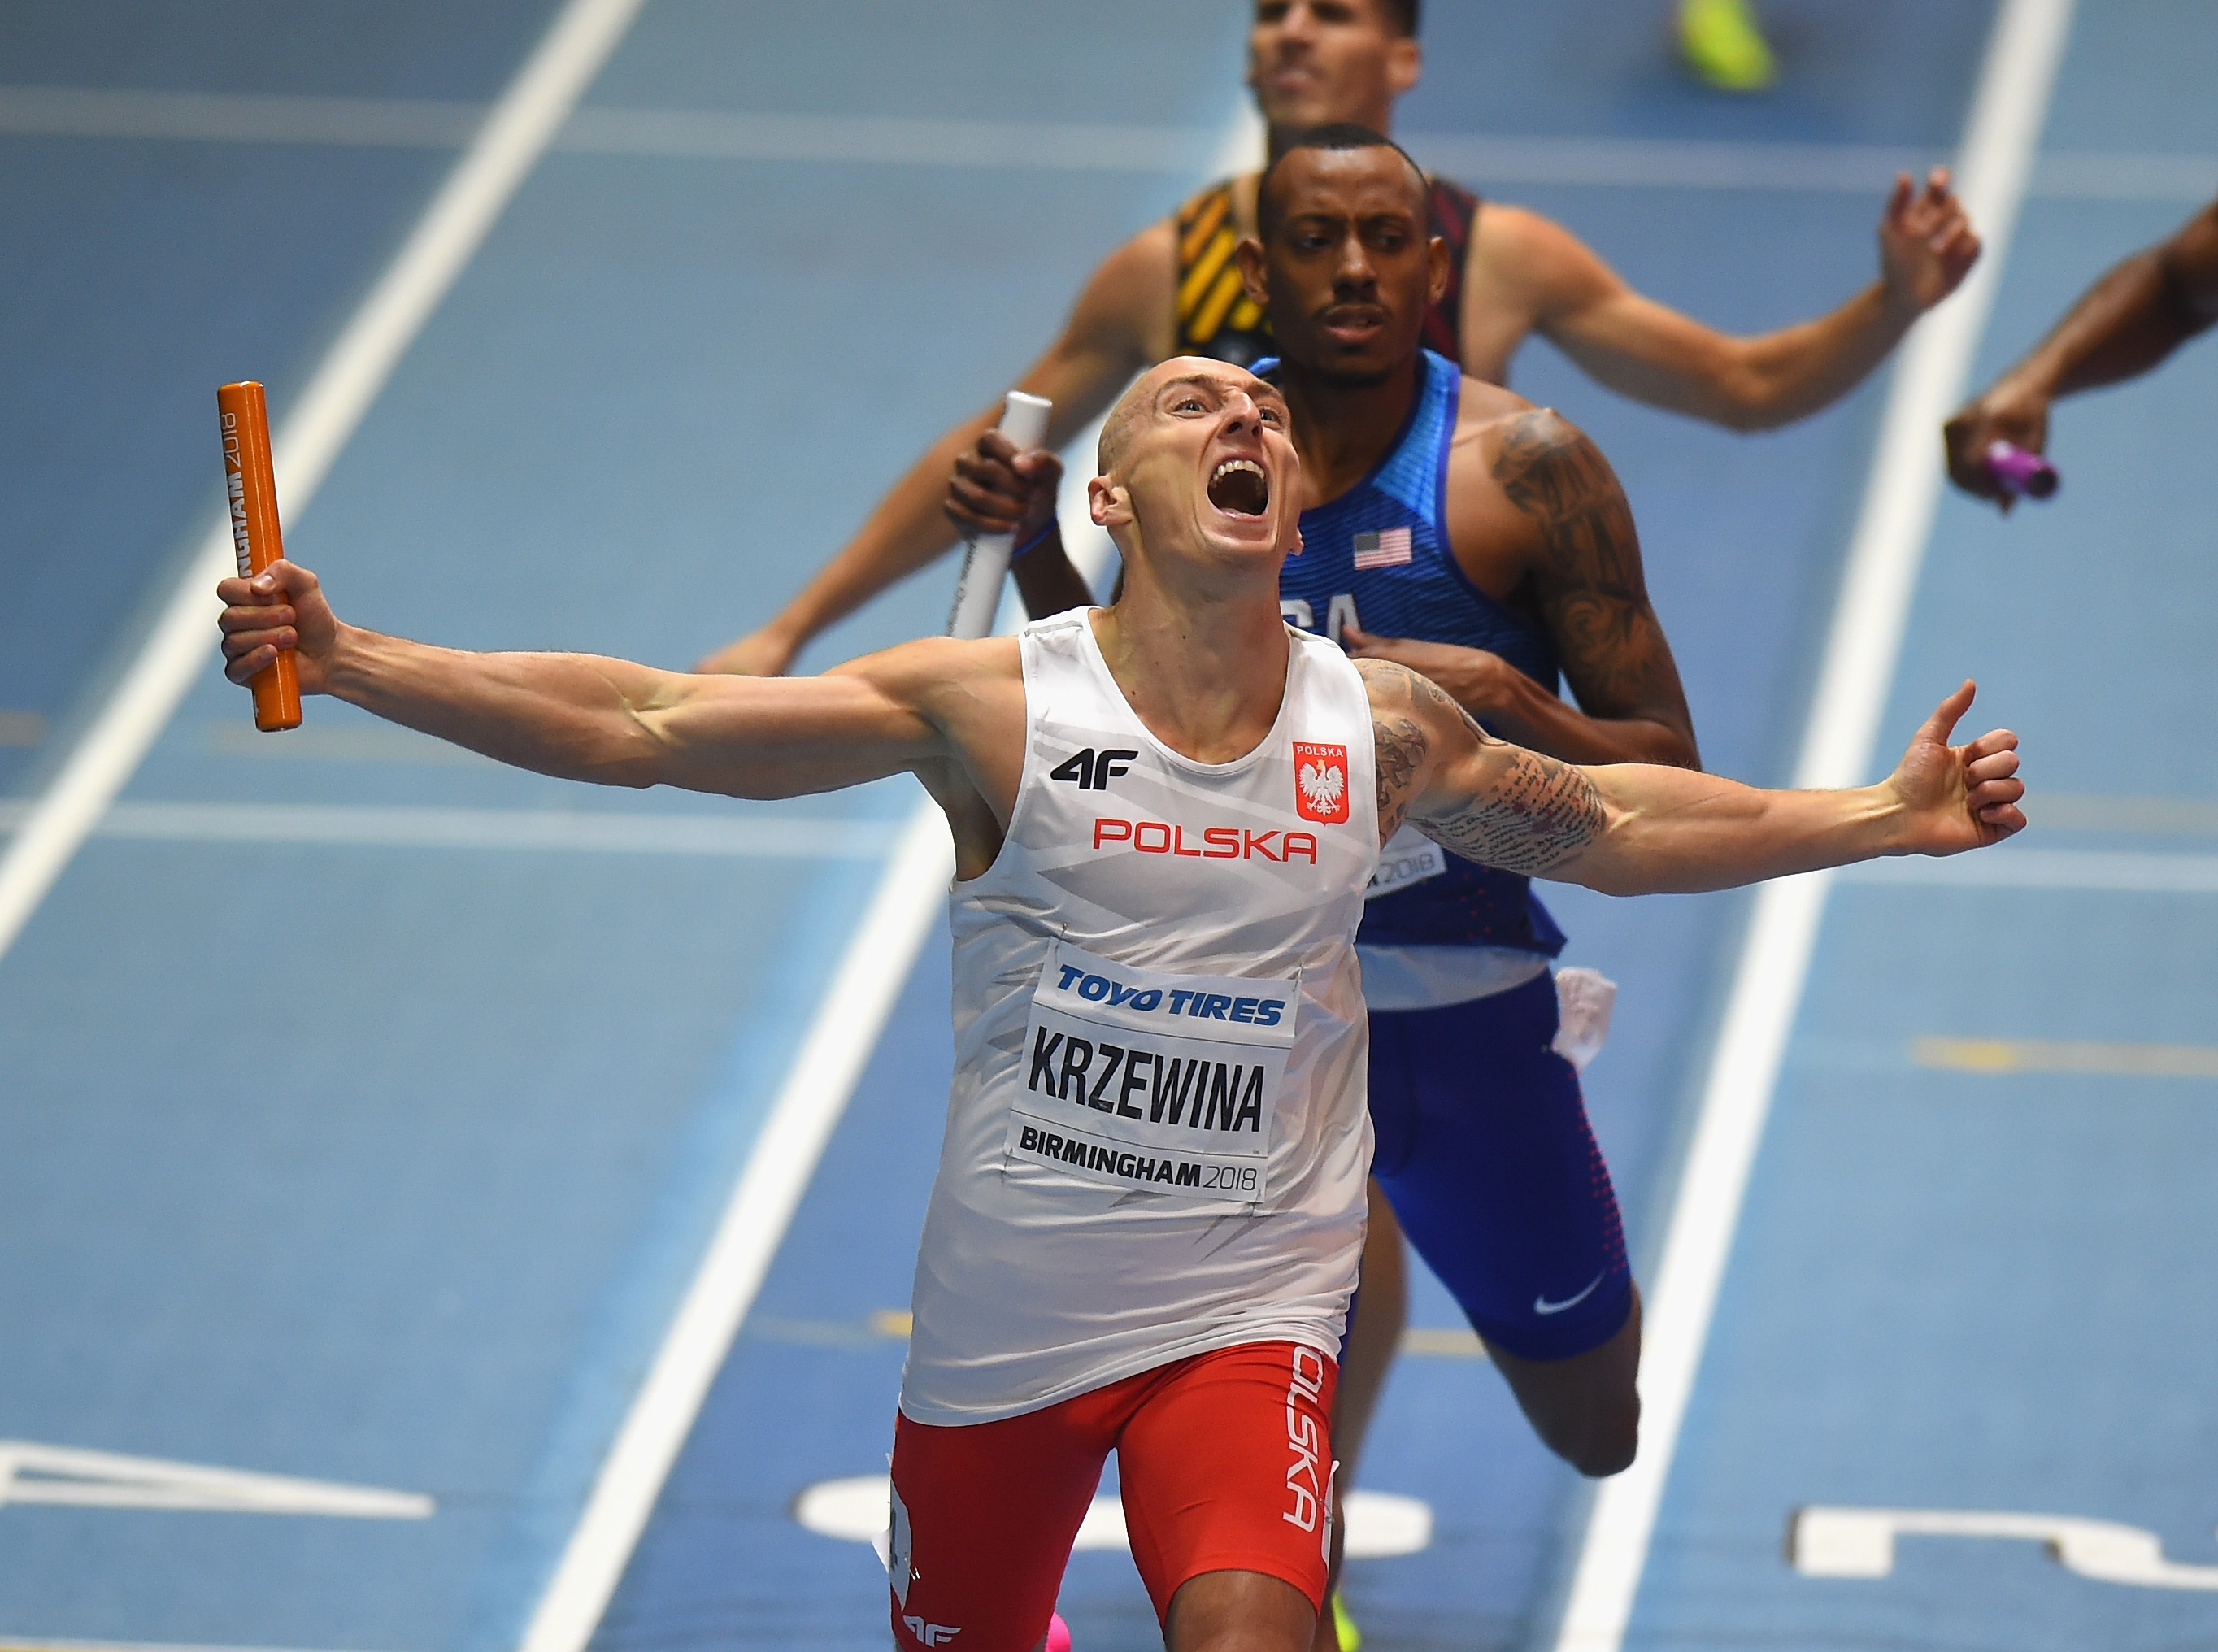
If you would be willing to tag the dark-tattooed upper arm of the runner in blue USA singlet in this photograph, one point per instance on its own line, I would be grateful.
(1591, 589)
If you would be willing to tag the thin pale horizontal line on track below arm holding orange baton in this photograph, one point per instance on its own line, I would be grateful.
(438, 828)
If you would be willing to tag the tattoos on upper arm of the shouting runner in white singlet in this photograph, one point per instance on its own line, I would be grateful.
(1534, 813)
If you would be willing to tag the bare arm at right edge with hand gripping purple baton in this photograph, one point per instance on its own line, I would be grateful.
(2124, 325)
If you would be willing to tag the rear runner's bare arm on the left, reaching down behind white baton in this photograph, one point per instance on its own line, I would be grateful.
(1121, 325)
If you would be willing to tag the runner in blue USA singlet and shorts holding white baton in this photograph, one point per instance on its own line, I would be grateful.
(1496, 538)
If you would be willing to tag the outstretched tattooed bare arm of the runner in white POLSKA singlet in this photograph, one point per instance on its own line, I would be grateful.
(1640, 828)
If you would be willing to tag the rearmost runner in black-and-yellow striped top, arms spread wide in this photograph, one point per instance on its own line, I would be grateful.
(1512, 274)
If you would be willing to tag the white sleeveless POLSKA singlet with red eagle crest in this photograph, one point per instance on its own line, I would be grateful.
(1157, 1141)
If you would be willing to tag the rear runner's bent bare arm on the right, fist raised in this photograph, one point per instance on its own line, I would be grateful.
(1534, 276)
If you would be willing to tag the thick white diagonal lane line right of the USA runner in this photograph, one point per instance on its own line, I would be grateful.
(2008, 110)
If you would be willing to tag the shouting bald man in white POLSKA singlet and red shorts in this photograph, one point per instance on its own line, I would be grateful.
(1150, 1201)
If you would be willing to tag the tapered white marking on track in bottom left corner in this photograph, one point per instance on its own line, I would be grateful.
(72, 1478)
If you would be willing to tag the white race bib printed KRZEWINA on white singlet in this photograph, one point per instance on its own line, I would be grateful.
(1152, 1081)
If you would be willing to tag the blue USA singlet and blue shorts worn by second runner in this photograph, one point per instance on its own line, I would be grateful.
(1483, 1136)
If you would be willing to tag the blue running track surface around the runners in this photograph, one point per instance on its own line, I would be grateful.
(398, 1185)
